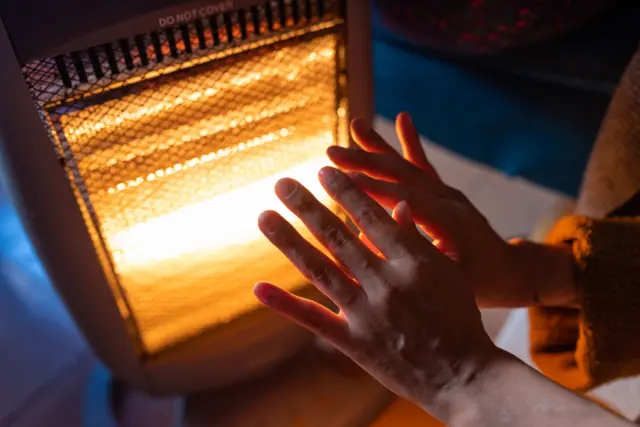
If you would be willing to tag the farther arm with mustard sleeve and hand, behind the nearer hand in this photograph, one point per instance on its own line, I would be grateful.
(577, 348)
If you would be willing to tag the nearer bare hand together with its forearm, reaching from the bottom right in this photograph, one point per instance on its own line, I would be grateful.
(408, 315)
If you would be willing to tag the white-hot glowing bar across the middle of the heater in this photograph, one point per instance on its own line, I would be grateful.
(211, 224)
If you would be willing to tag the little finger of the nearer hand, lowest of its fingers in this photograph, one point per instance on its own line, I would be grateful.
(308, 314)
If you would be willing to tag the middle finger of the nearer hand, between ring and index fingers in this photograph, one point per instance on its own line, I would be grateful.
(330, 231)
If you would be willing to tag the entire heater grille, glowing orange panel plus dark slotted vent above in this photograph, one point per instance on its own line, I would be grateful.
(173, 144)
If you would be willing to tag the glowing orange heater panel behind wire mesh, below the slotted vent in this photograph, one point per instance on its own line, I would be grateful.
(176, 174)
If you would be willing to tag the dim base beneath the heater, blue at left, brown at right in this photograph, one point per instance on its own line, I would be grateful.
(316, 389)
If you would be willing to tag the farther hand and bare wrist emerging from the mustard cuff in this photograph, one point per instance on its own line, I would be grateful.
(501, 274)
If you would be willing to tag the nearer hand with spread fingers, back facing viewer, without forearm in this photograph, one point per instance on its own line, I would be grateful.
(408, 317)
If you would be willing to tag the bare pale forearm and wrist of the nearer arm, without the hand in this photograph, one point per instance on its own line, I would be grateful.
(509, 393)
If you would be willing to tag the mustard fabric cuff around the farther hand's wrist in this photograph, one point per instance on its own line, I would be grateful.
(583, 348)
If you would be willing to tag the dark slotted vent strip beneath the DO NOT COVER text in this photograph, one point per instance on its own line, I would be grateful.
(92, 70)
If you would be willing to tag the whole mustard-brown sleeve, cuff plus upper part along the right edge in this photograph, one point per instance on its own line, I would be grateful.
(600, 342)
